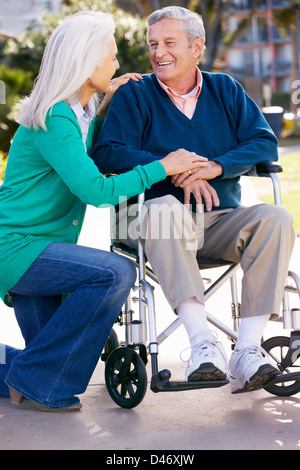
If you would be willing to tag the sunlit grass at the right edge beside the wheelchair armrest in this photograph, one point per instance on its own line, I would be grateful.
(290, 186)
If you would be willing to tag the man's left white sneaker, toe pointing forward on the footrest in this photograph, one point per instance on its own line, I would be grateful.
(209, 361)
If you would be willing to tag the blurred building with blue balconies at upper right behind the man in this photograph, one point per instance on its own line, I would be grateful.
(263, 55)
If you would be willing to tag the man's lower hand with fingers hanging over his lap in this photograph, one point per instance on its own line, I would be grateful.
(201, 190)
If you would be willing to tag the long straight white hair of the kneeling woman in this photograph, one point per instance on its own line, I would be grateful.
(73, 51)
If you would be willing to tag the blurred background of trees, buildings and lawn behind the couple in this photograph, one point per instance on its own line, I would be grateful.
(255, 41)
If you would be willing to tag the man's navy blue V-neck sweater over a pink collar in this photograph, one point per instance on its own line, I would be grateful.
(143, 125)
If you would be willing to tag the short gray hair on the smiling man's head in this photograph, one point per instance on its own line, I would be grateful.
(192, 23)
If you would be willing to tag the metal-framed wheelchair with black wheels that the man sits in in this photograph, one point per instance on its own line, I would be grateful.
(125, 362)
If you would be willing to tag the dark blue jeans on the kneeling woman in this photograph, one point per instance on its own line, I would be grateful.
(65, 337)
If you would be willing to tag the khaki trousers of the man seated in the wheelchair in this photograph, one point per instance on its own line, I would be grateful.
(260, 237)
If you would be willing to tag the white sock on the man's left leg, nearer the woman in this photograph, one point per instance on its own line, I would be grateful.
(192, 313)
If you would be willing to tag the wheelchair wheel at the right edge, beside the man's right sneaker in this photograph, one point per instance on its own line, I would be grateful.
(278, 347)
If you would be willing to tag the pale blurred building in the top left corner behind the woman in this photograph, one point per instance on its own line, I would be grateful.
(17, 15)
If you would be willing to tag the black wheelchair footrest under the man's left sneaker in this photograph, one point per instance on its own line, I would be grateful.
(160, 382)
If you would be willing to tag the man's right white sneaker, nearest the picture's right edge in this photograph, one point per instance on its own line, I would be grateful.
(249, 370)
